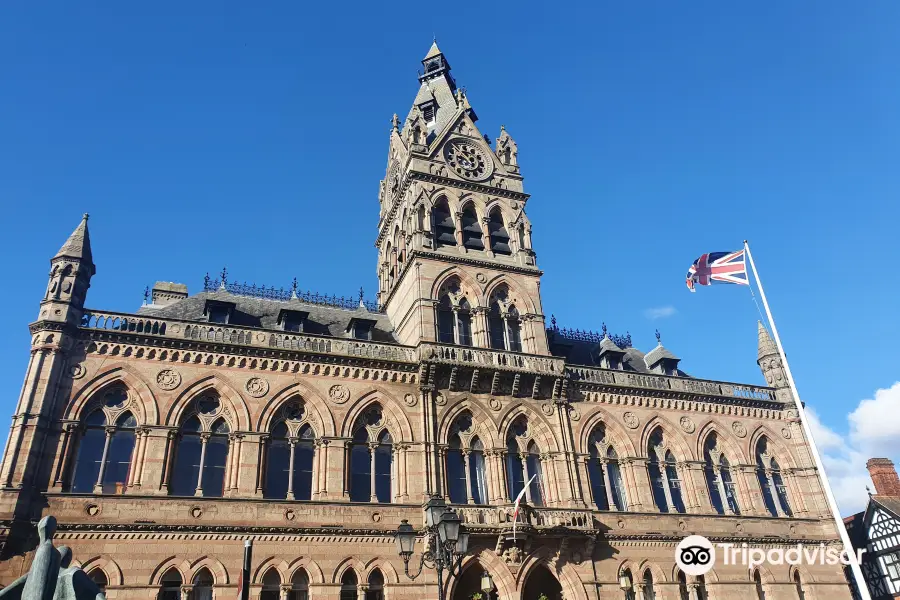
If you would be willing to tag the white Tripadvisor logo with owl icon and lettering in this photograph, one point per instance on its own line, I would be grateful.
(696, 555)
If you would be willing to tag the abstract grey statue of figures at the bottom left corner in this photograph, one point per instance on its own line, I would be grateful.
(50, 576)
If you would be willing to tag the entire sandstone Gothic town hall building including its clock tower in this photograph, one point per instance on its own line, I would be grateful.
(164, 438)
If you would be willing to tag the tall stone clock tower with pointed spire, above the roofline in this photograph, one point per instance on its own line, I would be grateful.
(455, 262)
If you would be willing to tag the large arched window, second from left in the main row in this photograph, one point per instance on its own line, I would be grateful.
(202, 452)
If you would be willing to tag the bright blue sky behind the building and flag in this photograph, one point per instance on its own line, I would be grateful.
(207, 134)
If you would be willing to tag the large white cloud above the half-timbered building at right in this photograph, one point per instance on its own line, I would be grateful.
(873, 431)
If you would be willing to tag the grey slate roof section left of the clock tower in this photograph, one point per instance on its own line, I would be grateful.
(258, 312)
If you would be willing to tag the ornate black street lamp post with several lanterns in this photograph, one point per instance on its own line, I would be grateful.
(447, 542)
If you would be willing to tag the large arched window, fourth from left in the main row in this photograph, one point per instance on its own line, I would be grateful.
(371, 458)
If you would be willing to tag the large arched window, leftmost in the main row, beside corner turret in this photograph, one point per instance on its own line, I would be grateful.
(104, 454)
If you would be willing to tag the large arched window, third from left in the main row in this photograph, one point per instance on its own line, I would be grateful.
(289, 460)
